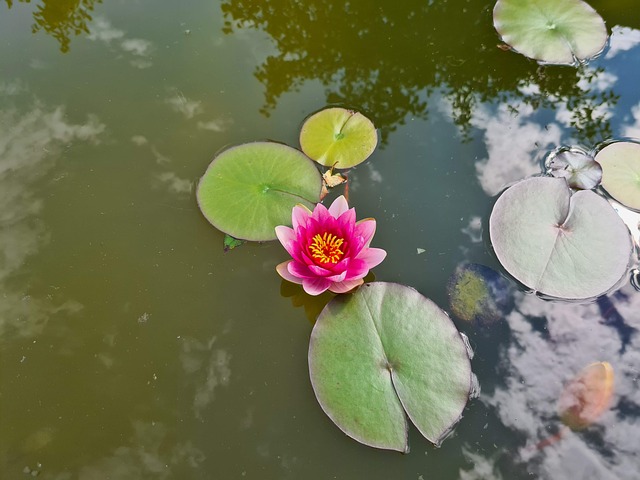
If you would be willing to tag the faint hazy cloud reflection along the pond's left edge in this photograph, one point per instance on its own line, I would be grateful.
(29, 142)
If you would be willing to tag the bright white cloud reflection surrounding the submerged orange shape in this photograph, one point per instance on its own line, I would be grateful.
(550, 343)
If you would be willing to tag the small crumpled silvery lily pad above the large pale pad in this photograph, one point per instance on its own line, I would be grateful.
(578, 168)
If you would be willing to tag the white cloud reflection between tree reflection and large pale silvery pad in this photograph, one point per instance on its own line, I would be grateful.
(511, 141)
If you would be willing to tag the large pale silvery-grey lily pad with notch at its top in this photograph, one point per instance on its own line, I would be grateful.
(559, 244)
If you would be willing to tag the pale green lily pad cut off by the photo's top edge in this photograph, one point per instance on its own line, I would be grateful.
(552, 31)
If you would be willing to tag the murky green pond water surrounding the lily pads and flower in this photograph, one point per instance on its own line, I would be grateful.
(133, 347)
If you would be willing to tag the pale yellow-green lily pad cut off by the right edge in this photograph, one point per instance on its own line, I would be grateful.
(621, 172)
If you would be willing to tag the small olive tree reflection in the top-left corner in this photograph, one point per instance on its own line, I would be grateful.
(62, 18)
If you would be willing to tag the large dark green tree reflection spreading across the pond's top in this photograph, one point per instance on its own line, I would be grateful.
(386, 58)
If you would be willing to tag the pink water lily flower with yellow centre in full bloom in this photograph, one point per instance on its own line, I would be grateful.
(330, 250)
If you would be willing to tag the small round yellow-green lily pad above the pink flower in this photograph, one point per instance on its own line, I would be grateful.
(338, 137)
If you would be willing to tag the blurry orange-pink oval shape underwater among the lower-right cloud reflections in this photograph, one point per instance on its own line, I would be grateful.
(586, 397)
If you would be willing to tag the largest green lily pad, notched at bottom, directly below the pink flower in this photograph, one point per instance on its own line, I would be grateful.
(385, 350)
